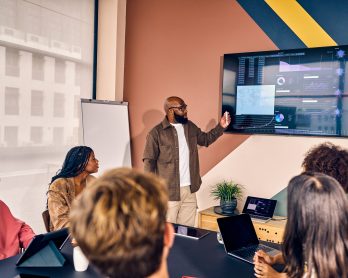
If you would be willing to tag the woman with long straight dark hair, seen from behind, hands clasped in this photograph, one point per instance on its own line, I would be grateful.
(316, 237)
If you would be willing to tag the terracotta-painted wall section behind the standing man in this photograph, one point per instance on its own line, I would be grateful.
(174, 47)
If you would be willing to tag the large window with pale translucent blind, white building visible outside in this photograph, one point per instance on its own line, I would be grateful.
(46, 57)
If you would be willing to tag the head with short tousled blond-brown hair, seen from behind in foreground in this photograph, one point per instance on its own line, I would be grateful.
(120, 224)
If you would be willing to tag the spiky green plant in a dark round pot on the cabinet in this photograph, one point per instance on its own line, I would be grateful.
(228, 192)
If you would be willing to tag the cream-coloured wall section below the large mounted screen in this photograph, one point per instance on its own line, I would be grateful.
(263, 164)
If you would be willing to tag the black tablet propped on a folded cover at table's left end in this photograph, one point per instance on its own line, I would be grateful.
(59, 238)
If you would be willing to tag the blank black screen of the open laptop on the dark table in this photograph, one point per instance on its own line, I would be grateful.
(237, 232)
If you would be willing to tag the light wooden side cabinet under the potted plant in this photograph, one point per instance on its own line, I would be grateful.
(271, 231)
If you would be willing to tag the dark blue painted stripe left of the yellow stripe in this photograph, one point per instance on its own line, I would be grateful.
(282, 36)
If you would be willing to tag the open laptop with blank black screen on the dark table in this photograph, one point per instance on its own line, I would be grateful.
(240, 239)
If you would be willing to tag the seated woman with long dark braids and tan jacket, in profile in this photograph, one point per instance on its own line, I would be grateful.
(74, 176)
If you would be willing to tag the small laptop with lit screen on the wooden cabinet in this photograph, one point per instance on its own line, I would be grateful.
(259, 209)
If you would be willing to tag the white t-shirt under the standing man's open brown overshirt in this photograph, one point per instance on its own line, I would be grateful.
(184, 156)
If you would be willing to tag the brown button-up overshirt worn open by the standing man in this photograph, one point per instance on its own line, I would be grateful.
(161, 154)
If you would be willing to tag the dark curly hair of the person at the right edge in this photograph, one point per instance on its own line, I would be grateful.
(328, 159)
